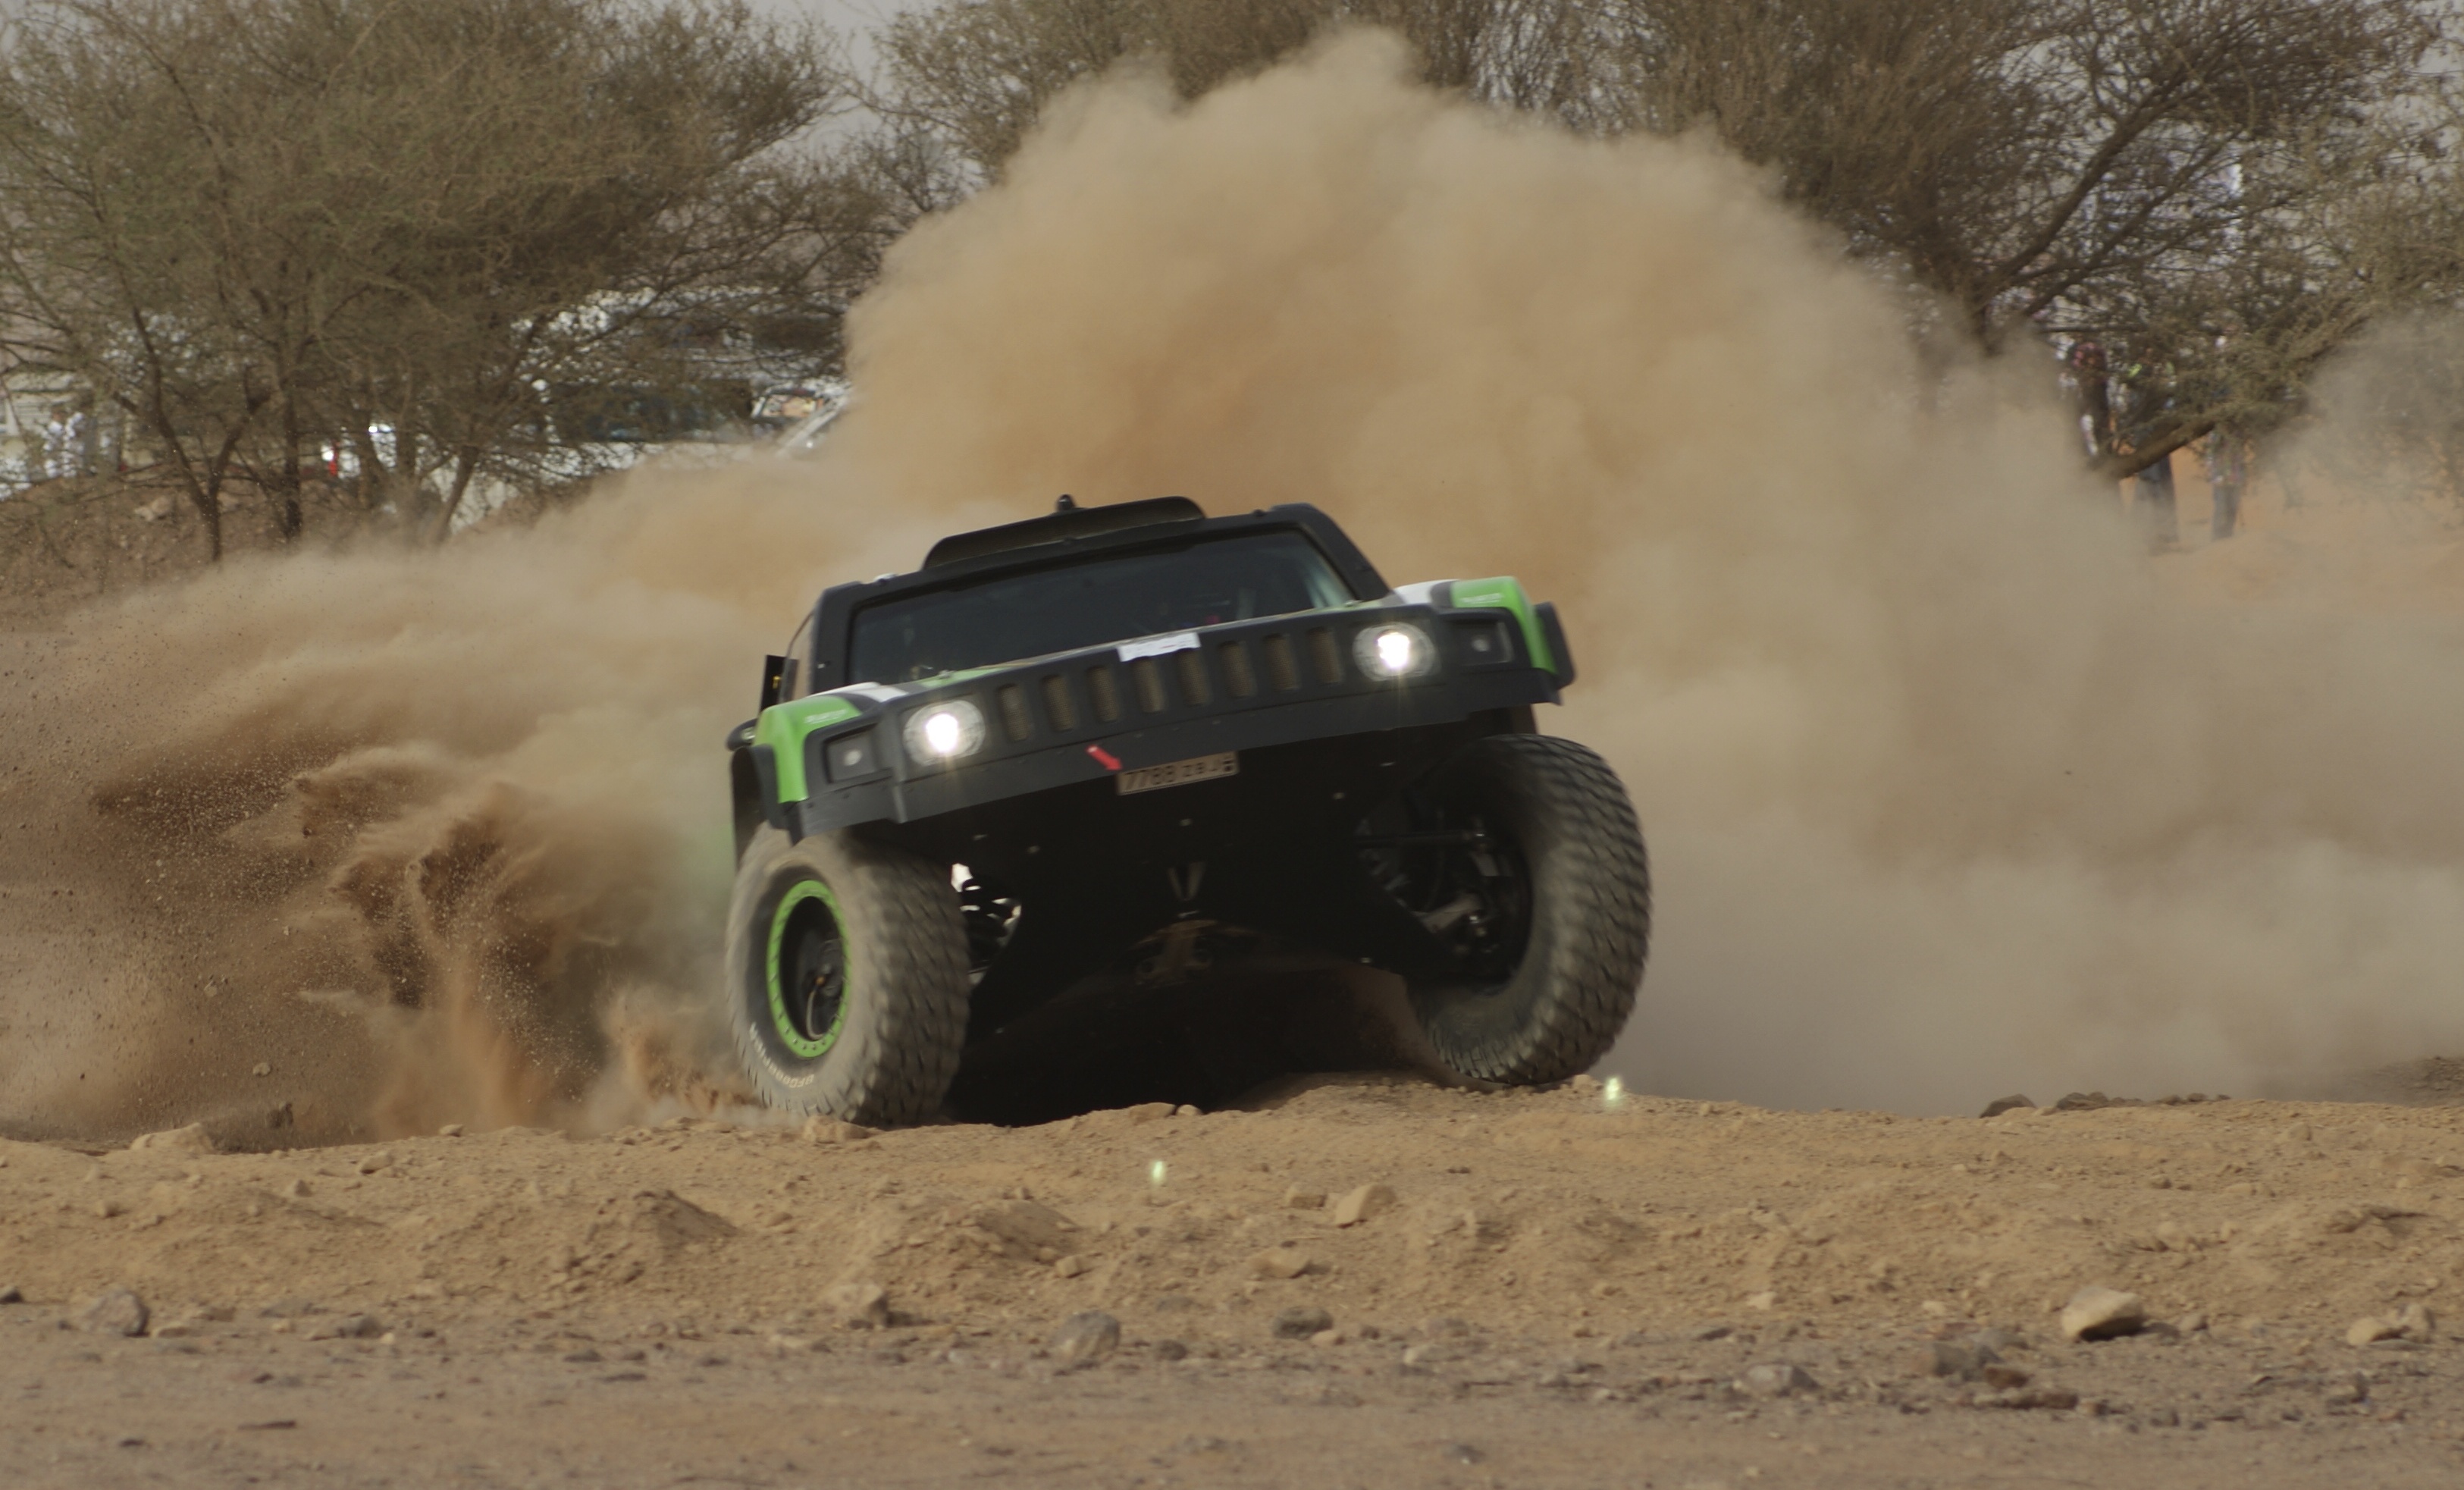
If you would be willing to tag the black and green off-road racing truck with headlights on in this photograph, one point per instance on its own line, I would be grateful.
(1078, 762)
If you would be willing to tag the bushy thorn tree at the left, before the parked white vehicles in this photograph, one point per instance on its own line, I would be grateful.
(265, 225)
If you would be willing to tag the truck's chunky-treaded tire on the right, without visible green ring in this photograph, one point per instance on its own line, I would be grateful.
(1568, 829)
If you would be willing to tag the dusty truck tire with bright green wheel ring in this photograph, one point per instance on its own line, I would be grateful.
(846, 979)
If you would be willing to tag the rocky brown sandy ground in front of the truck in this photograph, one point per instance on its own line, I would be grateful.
(1561, 1292)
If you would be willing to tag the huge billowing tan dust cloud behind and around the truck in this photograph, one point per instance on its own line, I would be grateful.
(1950, 794)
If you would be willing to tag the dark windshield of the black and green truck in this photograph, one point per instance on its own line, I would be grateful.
(1115, 597)
